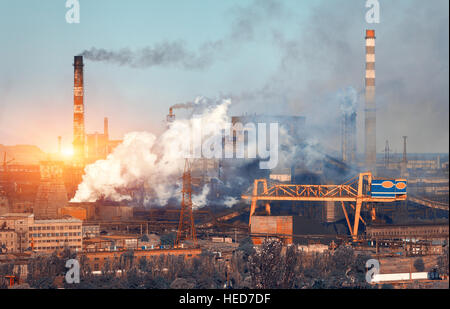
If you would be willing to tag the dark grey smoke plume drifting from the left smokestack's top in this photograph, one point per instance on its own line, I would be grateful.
(166, 54)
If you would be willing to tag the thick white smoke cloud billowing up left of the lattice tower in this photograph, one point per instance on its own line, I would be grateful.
(157, 163)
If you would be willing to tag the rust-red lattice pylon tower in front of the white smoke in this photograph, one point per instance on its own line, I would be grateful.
(186, 224)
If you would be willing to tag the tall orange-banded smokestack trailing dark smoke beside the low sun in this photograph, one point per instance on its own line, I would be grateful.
(78, 110)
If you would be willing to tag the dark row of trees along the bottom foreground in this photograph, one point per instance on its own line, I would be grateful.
(271, 267)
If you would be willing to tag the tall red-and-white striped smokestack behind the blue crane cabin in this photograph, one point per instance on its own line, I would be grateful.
(370, 110)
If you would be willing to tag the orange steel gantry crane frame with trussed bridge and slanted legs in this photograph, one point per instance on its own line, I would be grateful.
(353, 191)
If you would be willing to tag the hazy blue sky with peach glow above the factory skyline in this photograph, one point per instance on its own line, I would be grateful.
(275, 57)
